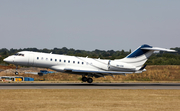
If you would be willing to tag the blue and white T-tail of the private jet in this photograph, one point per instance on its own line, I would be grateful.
(138, 57)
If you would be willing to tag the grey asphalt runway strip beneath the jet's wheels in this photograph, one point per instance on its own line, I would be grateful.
(89, 86)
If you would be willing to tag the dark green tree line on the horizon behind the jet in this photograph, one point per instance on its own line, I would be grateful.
(161, 58)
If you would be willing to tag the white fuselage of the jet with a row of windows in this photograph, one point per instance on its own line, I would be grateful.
(63, 62)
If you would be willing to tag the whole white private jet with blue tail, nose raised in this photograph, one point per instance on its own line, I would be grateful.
(87, 67)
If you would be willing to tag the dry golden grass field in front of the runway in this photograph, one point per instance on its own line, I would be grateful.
(89, 100)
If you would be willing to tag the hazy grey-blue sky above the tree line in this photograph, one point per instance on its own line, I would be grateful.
(89, 24)
